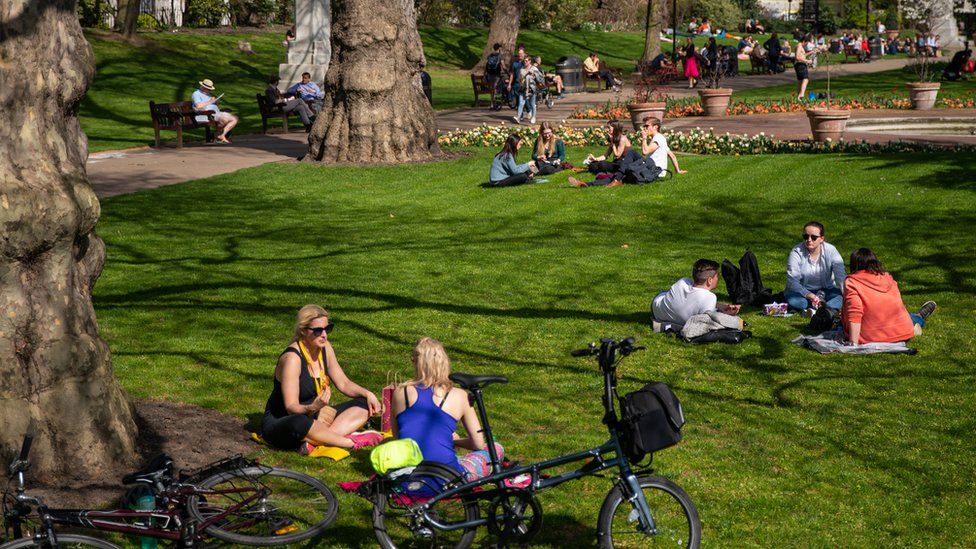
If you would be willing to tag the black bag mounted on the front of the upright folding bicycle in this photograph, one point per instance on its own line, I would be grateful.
(650, 420)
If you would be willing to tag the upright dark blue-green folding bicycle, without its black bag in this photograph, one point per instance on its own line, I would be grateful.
(433, 505)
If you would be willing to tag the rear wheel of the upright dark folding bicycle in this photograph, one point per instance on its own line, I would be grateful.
(396, 526)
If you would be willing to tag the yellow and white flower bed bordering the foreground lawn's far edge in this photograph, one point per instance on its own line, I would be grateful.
(696, 141)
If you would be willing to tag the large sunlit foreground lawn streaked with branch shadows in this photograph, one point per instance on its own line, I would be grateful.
(783, 447)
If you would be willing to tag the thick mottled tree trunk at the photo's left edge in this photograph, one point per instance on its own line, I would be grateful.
(55, 371)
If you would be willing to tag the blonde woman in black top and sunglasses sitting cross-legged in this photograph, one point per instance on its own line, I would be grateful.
(297, 414)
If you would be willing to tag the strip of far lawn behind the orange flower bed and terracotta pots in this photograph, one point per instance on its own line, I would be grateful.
(881, 84)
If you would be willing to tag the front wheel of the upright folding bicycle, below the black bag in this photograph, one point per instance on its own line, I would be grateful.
(675, 517)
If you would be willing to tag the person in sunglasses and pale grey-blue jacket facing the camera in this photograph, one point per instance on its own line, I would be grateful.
(814, 273)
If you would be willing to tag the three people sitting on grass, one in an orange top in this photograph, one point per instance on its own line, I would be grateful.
(867, 302)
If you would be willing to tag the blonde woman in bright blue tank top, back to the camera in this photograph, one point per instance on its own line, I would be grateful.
(428, 408)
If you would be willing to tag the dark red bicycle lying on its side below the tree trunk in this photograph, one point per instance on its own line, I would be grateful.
(236, 500)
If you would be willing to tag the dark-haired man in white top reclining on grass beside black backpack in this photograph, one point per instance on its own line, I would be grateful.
(691, 296)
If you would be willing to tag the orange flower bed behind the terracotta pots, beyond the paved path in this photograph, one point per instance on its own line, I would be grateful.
(691, 106)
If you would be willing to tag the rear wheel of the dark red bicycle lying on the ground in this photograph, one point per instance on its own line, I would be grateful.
(282, 506)
